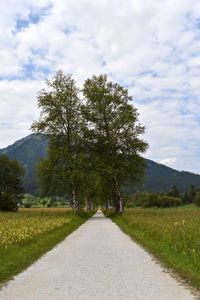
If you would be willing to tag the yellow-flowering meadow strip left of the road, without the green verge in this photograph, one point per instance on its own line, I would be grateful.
(27, 224)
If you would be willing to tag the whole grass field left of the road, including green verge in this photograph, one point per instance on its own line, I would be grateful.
(29, 233)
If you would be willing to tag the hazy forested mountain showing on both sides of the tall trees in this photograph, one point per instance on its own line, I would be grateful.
(159, 177)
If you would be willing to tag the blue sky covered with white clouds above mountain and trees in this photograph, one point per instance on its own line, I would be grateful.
(151, 47)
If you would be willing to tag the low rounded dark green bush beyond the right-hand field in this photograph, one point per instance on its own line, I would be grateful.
(163, 201)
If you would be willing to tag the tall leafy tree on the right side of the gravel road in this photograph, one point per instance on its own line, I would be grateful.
(112, 130)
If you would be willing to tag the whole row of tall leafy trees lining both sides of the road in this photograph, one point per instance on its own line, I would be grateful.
(94, 145)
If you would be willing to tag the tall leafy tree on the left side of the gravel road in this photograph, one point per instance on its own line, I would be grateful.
(60, 120)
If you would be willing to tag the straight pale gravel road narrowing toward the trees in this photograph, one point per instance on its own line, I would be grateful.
(95, 262)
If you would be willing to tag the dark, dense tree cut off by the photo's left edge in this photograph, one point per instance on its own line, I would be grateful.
(11, 191)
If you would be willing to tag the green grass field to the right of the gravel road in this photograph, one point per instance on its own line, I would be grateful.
(172, 235)
